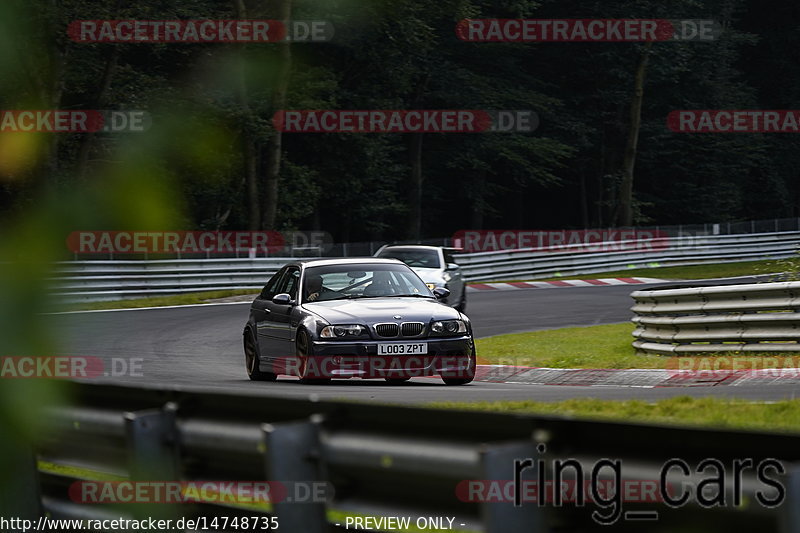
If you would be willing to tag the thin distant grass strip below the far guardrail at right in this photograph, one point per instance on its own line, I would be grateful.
(721, 270)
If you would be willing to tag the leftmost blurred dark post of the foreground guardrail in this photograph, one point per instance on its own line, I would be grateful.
(152, 444)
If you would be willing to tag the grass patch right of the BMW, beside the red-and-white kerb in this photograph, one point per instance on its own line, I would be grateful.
(607, 346)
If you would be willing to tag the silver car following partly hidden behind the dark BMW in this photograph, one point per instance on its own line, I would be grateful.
(435, 265)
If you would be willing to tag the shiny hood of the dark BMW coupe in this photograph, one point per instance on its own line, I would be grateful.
(372, 310)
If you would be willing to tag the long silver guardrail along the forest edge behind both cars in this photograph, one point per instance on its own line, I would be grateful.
(114, 280)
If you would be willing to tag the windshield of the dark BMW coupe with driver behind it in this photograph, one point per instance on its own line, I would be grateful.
(351, 281)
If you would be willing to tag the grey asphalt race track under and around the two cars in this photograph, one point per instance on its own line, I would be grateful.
(199, 348)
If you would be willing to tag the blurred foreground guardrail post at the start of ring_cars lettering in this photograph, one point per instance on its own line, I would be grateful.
(497, 463)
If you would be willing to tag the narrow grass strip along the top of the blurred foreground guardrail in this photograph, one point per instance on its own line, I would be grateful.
(681, 411)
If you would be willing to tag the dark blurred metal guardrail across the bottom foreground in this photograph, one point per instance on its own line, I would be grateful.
(381, 461)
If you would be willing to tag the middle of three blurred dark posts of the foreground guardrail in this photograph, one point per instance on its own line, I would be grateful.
(293, 456)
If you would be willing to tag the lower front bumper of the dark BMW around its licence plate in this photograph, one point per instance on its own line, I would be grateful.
(447, 357)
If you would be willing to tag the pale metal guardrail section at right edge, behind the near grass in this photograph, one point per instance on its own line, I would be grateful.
(760, 317)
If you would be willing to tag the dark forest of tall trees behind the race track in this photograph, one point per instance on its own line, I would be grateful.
(215, 102)
